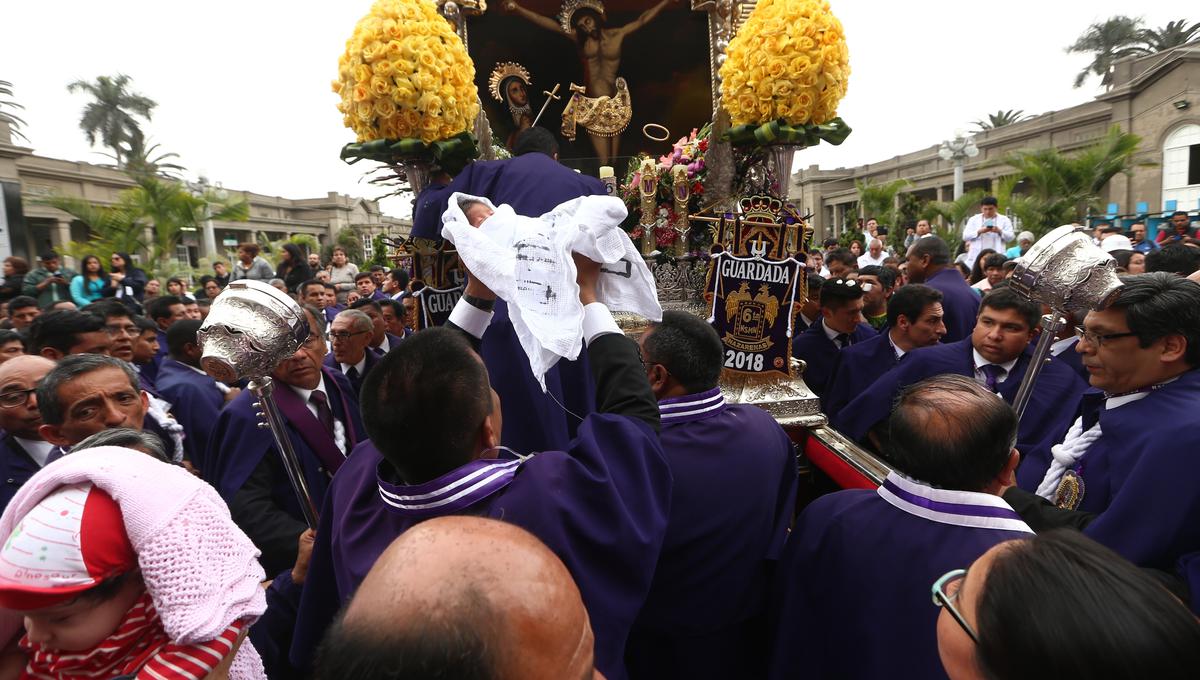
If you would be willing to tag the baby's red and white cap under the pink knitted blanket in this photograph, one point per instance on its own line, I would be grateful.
(71, 541)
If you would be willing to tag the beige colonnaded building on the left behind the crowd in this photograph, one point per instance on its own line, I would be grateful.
(28, 228)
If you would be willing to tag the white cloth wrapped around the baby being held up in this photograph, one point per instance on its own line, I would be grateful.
(527, 263)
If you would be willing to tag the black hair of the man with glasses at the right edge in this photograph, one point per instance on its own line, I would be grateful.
(1159, 305)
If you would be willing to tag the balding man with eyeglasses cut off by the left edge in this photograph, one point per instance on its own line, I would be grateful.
(23, 452)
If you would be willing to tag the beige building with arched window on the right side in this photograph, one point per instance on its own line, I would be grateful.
(1156, 98)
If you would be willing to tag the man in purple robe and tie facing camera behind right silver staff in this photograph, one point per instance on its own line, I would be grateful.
(995, 356)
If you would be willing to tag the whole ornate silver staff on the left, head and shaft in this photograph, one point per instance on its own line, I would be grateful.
(251, 329)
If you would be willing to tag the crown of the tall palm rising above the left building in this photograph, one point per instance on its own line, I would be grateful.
(112, 116)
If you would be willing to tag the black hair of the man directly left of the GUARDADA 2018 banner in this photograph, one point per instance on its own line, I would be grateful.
(688, 347)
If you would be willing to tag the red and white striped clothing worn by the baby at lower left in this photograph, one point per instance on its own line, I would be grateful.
(139, 648)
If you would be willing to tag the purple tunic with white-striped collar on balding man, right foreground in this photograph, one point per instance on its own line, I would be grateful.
(853, 597)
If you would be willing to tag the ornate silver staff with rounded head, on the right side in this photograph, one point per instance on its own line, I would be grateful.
(1066, 272)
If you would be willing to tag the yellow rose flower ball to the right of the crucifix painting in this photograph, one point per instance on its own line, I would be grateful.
(788, 62)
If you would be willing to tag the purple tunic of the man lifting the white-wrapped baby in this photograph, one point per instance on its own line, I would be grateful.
(601, 506)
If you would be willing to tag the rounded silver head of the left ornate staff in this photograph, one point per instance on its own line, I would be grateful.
(250, 330)
